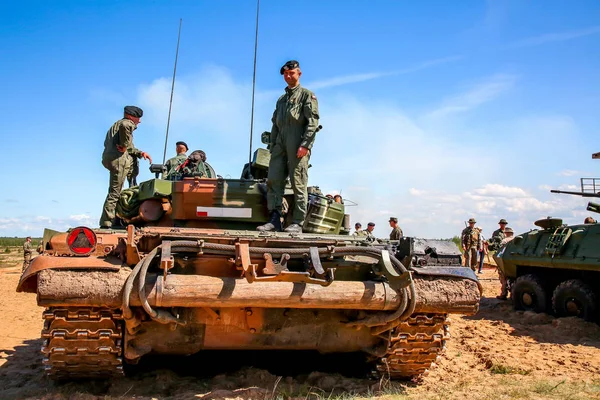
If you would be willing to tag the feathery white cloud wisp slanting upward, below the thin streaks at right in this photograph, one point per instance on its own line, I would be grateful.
(481, 93)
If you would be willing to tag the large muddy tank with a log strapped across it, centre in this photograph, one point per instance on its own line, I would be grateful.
(188, 273)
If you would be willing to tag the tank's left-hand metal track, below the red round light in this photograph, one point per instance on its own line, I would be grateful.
(82, 343)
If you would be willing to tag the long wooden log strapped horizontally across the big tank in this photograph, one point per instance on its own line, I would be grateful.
(104, 289)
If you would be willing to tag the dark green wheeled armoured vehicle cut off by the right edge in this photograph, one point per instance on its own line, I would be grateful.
(556, 268)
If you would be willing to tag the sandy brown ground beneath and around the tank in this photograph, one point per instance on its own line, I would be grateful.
(496, 354)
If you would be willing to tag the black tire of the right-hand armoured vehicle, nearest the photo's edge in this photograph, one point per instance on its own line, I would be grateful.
(573, 298)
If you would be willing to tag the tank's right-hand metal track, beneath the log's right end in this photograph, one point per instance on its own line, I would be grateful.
(414, 346)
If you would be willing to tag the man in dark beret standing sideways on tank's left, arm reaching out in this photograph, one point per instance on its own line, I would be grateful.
(118, 145)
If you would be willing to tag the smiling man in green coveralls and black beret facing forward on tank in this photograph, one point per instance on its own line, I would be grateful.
(295, 123)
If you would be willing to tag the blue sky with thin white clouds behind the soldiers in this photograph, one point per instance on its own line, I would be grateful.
(432, 111)
